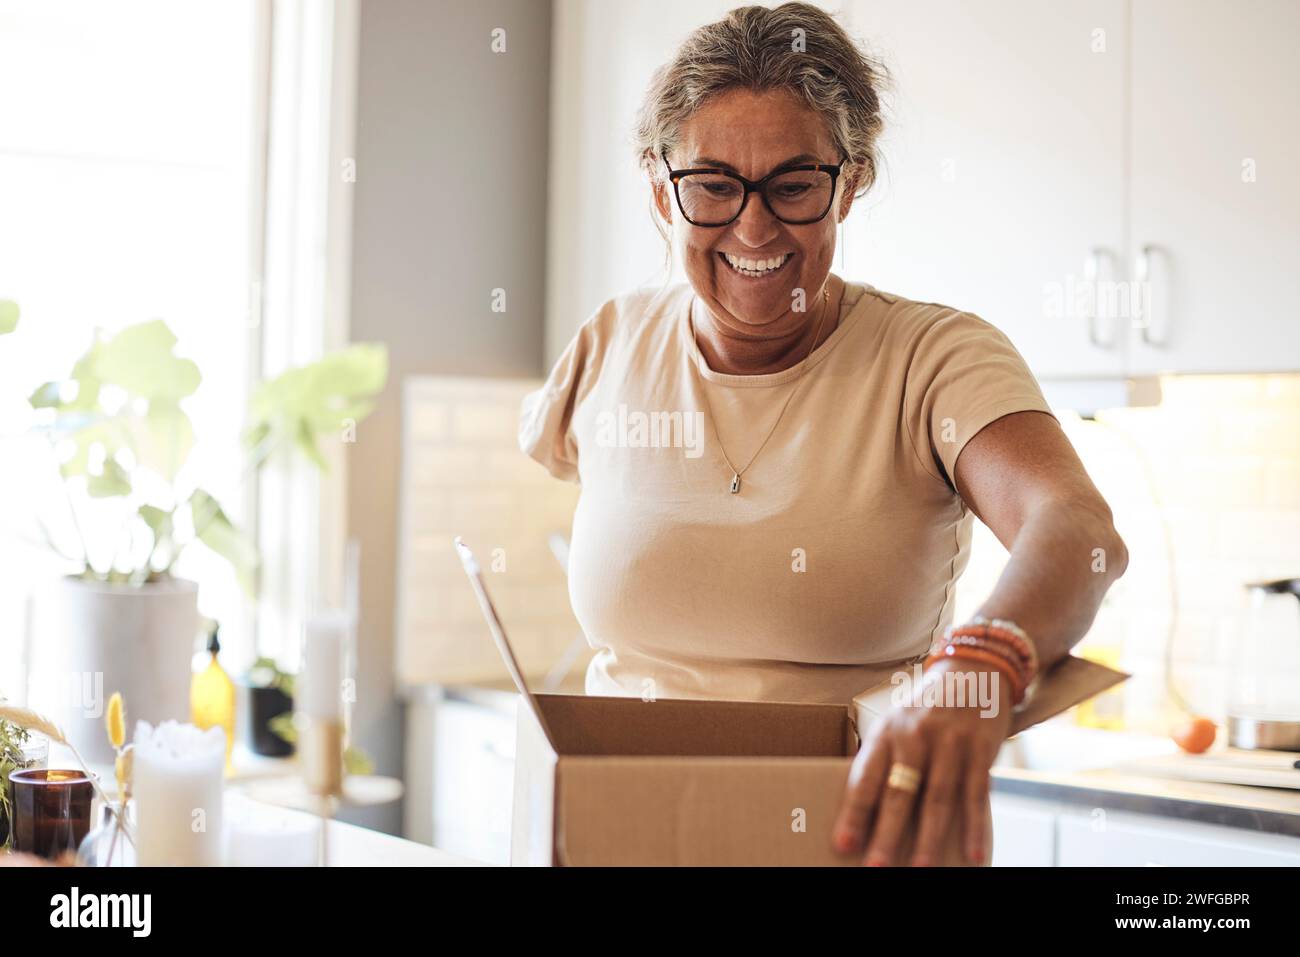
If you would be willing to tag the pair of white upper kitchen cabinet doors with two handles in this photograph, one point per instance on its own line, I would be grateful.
(1147, 145)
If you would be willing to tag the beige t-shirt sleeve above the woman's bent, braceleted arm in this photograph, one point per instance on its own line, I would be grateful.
(965, 374)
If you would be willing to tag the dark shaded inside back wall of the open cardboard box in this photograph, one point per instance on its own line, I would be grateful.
(590, 725)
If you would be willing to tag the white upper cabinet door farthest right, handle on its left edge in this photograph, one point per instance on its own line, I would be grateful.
(1216, 200)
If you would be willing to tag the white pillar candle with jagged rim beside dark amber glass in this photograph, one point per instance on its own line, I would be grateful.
(176, 781)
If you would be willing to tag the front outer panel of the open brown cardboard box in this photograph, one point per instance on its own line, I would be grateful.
(699, 812)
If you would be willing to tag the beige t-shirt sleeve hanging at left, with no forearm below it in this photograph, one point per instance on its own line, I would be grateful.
(547, 415)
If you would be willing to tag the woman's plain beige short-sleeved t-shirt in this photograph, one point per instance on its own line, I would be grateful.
(835, 562)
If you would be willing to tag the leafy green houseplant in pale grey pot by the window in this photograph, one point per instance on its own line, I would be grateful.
(122, 438)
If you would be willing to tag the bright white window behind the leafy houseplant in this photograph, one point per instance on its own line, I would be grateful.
(128, 177)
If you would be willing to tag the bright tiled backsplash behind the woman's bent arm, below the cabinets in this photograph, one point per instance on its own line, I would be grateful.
(1206, 491)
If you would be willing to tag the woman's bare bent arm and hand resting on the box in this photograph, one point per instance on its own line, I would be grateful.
(1022, 478)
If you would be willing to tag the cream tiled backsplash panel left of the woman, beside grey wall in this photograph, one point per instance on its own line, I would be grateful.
(463, 475)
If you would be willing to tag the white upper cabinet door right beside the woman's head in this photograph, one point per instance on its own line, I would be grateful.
(1004, 170)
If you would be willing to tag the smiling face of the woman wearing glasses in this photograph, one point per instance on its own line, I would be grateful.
(752, 135)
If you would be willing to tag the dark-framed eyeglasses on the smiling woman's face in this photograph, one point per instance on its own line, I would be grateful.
(798, 196)
